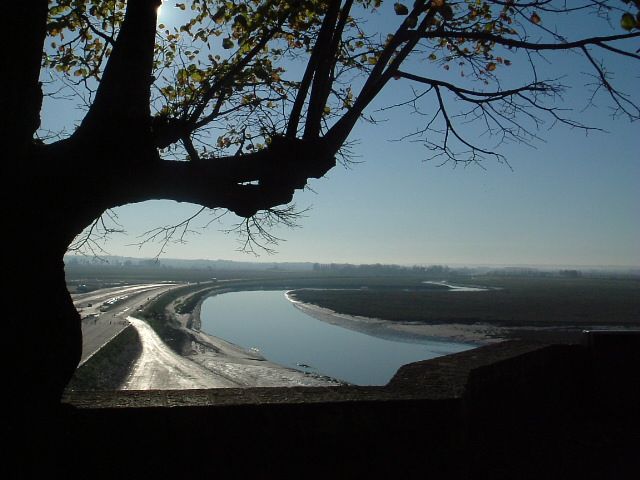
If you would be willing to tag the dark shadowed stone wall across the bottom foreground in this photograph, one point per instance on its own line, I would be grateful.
(509, 410)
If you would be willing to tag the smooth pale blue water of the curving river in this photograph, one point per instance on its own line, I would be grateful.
(266, 321)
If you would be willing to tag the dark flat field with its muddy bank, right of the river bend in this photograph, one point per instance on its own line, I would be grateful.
(534, 309)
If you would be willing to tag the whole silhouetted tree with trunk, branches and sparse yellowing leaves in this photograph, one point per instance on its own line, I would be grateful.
(156, 97)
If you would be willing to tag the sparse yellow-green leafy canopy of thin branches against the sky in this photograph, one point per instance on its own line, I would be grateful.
(233, 70)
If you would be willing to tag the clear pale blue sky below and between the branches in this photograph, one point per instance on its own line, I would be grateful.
(573, 200)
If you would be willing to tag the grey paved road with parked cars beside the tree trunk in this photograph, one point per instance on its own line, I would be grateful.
(98, 328)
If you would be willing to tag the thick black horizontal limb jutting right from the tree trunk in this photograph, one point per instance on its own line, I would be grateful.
(243, 184)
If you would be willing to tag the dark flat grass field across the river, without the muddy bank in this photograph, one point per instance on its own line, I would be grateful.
(512, 301)
